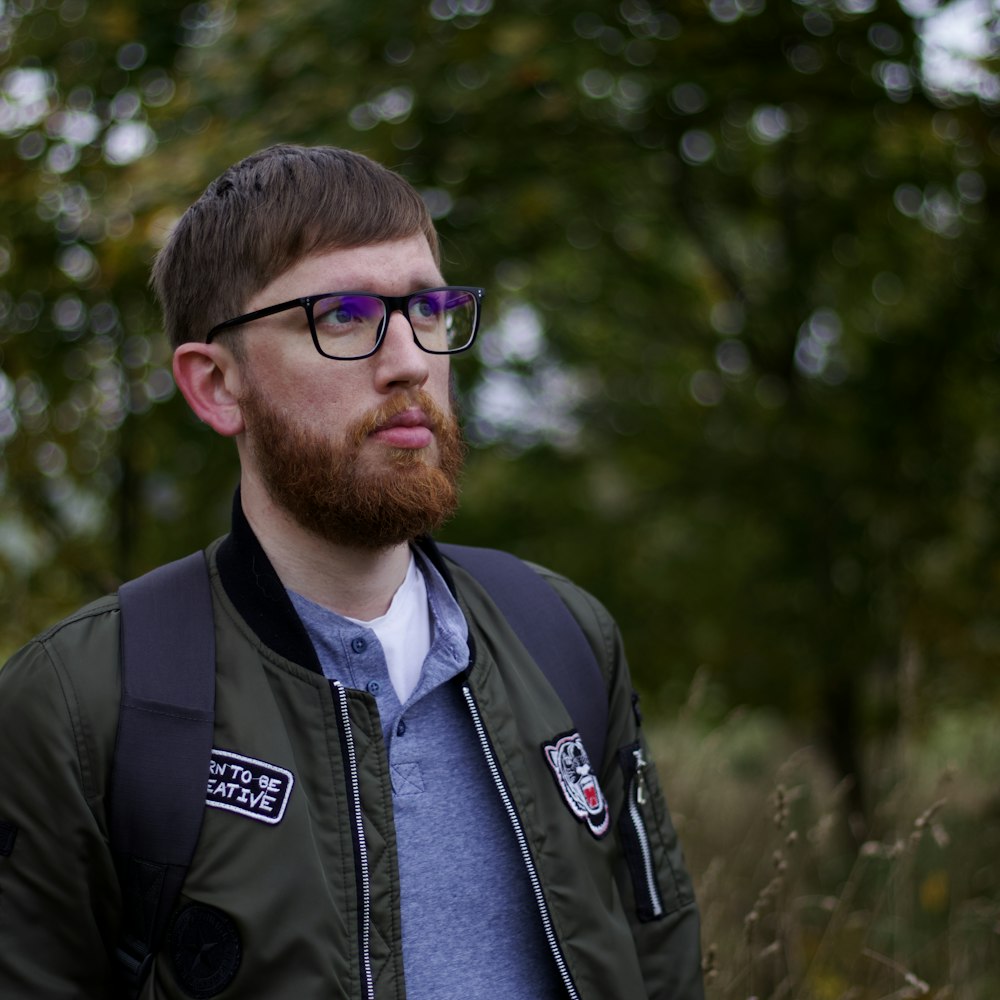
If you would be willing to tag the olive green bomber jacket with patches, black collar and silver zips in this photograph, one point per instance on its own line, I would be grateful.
(306, 903)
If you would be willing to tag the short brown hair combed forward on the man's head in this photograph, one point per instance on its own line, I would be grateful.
(266, 213)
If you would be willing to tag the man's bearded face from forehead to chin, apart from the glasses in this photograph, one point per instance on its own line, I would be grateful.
(366, 452)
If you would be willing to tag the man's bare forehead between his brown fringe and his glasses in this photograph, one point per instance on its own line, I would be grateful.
(392, 268)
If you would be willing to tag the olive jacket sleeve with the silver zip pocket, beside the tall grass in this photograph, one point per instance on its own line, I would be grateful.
(653, 881)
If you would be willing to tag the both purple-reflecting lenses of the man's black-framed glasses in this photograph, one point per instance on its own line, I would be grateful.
(348, 325)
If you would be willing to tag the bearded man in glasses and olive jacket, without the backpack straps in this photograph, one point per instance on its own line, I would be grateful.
(421, 839)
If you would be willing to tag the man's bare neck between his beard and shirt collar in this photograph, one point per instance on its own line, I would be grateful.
(349, 580)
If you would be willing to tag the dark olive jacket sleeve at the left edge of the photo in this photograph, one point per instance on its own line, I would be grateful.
(58, 890)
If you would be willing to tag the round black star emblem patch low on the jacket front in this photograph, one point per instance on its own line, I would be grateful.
(204, 949)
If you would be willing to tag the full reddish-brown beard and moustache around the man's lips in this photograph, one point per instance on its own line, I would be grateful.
(340, 496)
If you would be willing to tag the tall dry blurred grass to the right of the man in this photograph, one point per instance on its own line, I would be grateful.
(795, 906)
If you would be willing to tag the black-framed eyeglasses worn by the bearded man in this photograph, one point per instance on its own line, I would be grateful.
(347, 326)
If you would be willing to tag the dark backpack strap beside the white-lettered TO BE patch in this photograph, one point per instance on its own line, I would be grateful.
(163, 749)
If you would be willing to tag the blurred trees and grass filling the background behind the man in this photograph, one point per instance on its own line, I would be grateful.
(739, 376)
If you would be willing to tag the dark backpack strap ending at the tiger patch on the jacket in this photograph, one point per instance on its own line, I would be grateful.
(549, 632)
